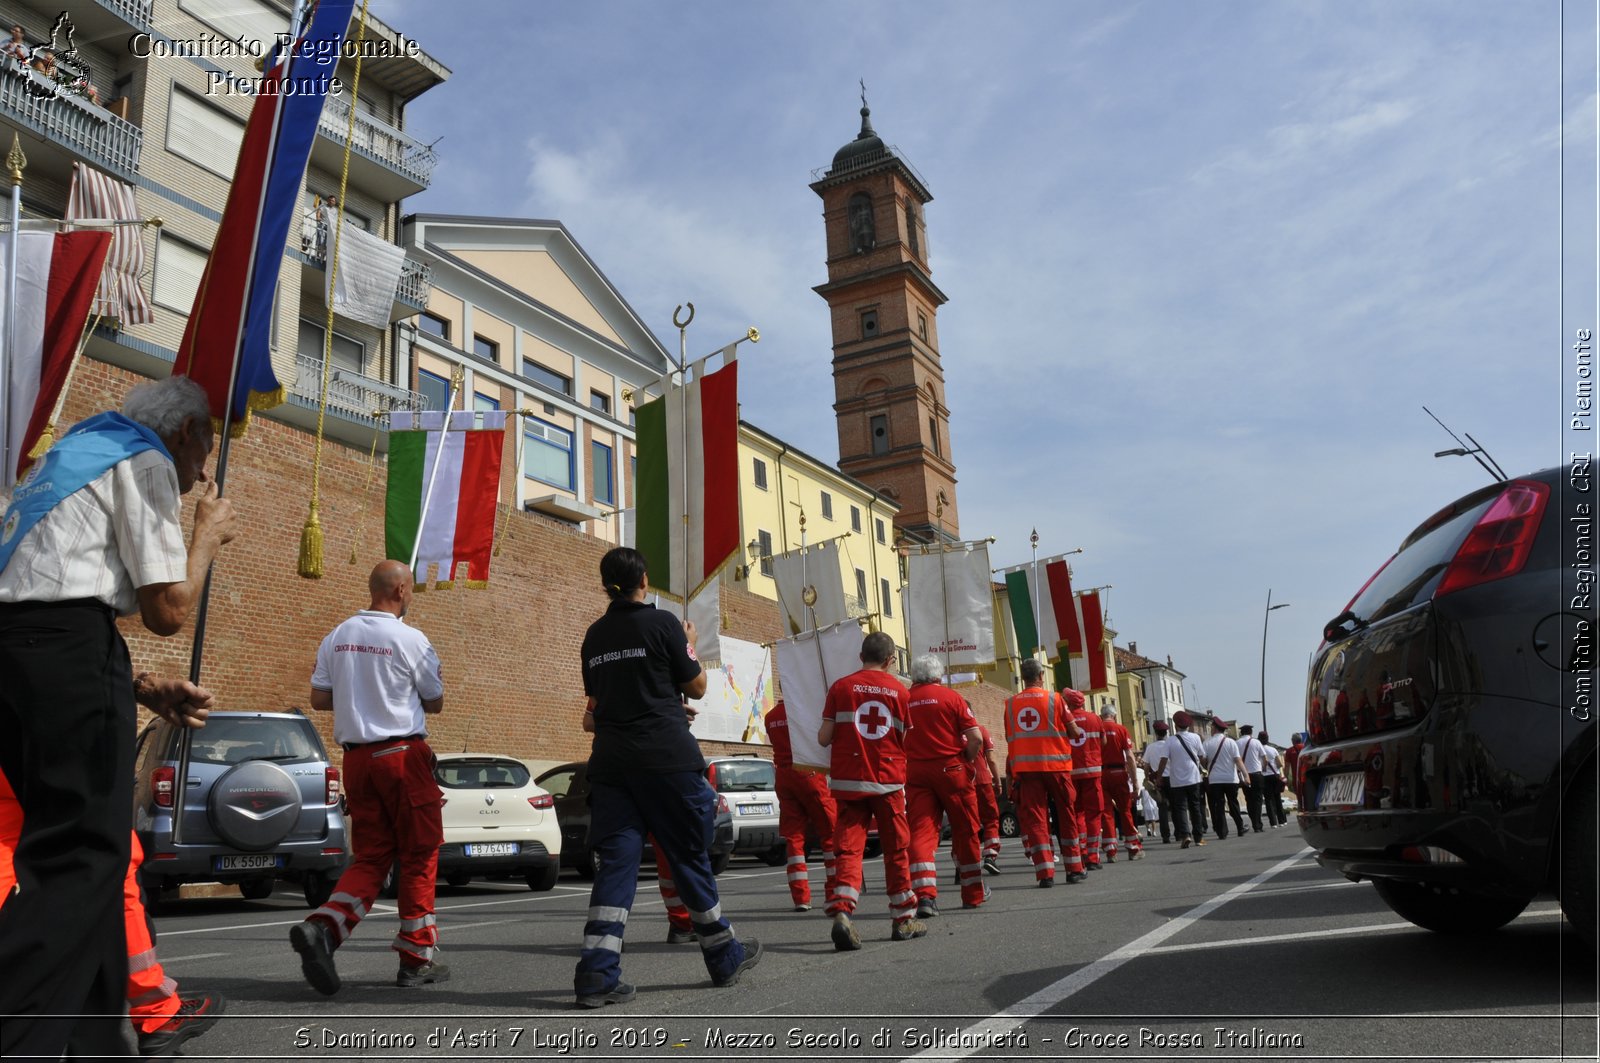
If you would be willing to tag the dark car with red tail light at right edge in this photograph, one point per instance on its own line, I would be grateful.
(1452, 753)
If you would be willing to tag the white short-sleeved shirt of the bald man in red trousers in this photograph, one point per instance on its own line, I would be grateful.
(380, 672)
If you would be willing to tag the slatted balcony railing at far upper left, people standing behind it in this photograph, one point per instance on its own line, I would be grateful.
(62, 129)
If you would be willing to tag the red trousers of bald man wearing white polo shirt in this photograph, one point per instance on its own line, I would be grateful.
(394, 817)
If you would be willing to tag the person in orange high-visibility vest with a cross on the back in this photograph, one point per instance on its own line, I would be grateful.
(1039, 732)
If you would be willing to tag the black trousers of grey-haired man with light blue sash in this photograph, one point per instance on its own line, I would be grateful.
(66, 748)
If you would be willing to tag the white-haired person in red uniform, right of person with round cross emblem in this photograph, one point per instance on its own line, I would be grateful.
(942, 747)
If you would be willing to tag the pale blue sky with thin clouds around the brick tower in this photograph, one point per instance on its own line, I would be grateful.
(1206, 263)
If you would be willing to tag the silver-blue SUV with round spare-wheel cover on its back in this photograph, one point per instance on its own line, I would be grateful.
(262, 804)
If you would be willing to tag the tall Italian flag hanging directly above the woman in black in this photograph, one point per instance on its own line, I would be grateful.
(689, 479)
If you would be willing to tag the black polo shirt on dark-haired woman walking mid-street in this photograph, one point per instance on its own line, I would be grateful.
(634, 660)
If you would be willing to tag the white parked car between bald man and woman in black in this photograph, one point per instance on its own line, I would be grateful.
(497, 822)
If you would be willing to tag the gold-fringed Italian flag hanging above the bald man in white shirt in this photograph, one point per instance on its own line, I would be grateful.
(455, 523)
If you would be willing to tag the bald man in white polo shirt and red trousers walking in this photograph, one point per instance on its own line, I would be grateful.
(380, 678)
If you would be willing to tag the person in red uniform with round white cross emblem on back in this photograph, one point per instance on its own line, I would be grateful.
(865, 726)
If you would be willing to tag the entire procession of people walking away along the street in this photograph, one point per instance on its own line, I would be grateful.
(95, 534)
